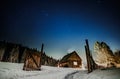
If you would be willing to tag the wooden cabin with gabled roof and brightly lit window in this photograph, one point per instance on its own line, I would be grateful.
(72, 60)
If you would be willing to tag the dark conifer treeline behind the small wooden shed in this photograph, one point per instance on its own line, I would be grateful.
(11, 52)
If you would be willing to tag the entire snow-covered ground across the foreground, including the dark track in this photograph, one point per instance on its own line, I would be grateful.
(14, 71)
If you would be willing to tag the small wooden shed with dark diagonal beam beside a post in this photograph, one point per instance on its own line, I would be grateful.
(32, 61)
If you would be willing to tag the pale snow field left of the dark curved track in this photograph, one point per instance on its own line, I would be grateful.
(14, 71)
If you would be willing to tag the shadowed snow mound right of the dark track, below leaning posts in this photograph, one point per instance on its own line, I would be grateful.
(112, 73)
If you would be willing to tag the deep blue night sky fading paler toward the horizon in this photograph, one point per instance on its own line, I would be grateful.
(62, 25)
